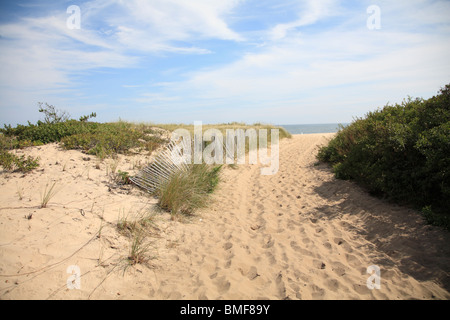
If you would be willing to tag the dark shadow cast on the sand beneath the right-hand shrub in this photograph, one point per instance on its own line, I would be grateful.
(417, 249)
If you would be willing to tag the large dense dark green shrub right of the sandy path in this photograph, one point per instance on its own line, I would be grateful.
(400, 151)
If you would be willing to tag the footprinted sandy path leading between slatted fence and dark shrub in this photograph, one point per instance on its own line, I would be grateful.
(301, 234)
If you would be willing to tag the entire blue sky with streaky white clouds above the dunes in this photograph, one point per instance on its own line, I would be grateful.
(219, 61)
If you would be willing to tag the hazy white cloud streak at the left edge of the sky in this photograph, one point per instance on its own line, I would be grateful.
(39, 54)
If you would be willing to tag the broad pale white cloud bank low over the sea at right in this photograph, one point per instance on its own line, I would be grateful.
(335, 72)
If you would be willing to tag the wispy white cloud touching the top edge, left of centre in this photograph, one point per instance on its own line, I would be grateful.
(170, 25)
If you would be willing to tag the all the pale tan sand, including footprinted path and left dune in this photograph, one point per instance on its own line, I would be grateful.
(300, 234)
